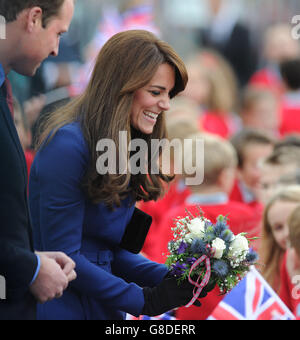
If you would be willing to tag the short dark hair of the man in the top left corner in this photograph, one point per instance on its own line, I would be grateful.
(10, 9)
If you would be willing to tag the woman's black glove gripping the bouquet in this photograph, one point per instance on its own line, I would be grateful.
(167, 296)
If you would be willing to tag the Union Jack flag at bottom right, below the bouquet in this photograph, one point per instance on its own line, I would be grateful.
(252, 299)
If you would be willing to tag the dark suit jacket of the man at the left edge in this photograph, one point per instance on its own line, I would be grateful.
(18, 262)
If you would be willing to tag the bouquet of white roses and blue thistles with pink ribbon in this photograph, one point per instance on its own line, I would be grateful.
(209, 252)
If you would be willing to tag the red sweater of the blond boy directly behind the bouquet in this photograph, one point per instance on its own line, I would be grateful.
(241, 219)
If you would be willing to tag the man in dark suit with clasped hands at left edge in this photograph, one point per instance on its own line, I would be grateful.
(33, 29)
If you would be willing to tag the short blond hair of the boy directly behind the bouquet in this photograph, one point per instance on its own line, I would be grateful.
(219, 155)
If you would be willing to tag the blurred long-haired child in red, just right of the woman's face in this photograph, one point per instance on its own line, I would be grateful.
(213, 86)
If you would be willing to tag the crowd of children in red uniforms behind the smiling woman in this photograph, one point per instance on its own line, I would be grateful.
(251, 161)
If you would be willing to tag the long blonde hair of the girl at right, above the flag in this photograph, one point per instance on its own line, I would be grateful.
(270, 252)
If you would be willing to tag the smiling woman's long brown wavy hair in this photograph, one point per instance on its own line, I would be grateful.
(126, 63)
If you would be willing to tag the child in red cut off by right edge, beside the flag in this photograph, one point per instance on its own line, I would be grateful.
(290, 270)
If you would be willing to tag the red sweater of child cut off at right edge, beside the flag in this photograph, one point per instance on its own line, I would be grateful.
(289, 293)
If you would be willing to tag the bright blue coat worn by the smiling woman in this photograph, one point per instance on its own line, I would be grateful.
(109, 279)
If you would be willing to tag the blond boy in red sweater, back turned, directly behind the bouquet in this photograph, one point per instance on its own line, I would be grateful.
(212, 197)
